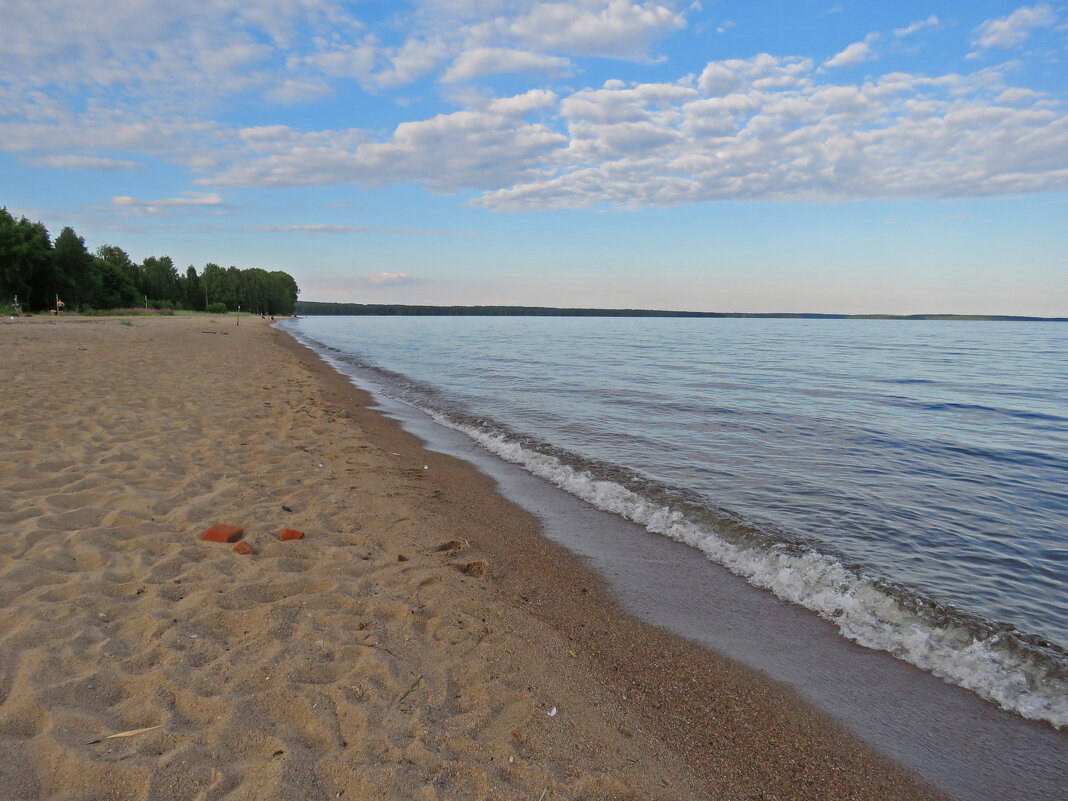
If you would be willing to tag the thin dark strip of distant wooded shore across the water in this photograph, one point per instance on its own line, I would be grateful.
(313, 308)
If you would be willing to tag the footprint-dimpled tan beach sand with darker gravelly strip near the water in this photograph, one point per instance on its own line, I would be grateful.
(363, 662)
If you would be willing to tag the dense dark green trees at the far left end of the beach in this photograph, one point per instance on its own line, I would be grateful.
(39, 272)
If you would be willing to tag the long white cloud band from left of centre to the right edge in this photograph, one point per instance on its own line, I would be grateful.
(763, 129)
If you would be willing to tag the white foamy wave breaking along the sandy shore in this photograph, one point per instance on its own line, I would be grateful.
(1022, 673)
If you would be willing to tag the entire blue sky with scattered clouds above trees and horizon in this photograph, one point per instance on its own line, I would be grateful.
(723, 155)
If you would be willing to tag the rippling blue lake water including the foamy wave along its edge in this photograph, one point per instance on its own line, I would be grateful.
(907, 481)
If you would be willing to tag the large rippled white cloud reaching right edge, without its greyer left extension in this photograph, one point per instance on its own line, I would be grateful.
(899, 137)
